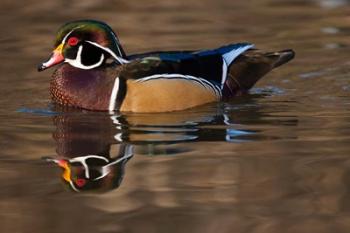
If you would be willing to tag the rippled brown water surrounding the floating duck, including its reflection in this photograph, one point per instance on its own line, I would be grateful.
(277, 160)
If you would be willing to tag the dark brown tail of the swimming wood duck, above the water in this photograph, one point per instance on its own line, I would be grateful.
(251, 66)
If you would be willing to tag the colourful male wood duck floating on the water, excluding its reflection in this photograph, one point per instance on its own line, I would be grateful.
(96, 74)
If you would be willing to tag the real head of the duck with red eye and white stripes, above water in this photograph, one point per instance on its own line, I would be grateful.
(85, 44)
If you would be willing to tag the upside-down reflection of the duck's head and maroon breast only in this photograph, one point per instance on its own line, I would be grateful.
(86, 154)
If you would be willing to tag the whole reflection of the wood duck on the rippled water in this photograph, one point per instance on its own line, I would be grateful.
(93, 147)
